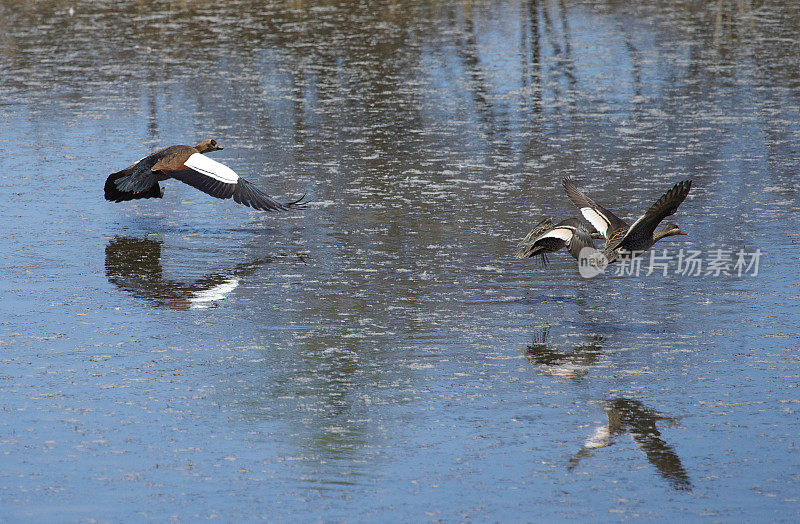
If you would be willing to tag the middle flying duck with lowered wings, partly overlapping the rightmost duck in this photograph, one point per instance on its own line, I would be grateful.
(547, 237)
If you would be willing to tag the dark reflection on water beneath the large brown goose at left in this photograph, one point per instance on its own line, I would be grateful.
(134, 264)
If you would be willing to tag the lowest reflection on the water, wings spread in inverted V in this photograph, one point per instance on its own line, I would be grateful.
(631, 416)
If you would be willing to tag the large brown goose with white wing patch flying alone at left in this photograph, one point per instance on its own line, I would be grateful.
(188, 164)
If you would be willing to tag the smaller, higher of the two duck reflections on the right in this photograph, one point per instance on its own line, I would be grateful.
(565, 364)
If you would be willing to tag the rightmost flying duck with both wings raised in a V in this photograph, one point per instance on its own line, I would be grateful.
(623, 240)
